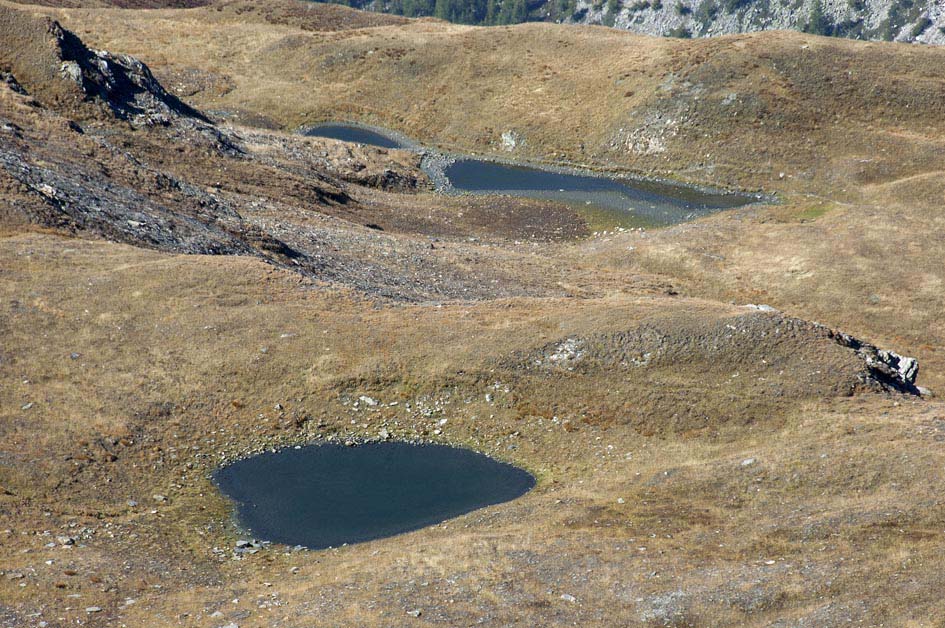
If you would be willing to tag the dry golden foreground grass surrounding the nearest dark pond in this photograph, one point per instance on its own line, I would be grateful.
(841, 496)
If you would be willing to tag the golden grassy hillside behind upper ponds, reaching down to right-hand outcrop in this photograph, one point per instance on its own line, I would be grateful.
(851, 130)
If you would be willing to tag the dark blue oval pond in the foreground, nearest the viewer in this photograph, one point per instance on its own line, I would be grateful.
(327, 495)
